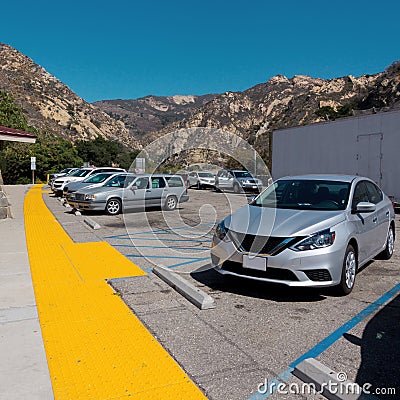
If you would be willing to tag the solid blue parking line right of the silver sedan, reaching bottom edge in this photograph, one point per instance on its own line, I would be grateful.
(324, 344)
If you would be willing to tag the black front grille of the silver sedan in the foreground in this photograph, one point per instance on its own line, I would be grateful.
(260, 244)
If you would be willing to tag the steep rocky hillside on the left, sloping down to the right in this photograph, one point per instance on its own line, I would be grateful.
(51, 106)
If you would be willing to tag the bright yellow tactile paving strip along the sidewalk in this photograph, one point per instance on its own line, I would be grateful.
(96, 348)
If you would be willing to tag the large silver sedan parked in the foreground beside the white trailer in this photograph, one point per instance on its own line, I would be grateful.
(310, 230)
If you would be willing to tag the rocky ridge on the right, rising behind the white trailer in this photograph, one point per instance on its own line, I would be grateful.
(282, 102)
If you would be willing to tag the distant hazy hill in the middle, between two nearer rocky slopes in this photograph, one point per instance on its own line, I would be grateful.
(152, 113)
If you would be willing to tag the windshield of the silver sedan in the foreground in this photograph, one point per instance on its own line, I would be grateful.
(305, 194)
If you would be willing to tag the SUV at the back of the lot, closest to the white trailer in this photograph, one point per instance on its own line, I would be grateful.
(237, 180)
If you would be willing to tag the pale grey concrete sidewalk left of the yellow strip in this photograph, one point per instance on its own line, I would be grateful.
(23, 366)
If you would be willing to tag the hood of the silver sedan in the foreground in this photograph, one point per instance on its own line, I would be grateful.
(265, 221)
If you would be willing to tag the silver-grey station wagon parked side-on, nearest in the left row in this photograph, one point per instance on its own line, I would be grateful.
(127, 192)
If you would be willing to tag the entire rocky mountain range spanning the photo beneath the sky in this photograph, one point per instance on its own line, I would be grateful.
(253, 114)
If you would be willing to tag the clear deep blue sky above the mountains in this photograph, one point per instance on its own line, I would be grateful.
(129, 49)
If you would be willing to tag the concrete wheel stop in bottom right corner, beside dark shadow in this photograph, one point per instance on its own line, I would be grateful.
(313, 372)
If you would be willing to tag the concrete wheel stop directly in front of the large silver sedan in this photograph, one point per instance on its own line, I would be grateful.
(196, 296)
